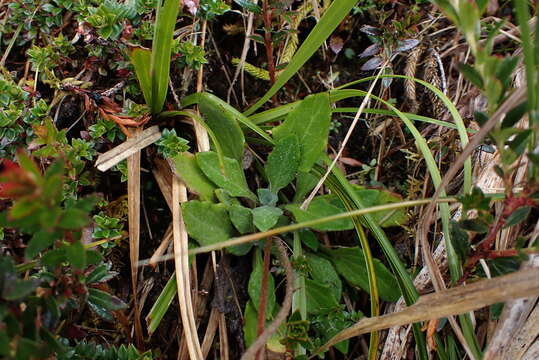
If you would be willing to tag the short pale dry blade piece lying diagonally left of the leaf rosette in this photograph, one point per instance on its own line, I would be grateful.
(131, 146)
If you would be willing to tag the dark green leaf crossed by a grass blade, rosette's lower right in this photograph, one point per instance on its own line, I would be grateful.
(350, 263)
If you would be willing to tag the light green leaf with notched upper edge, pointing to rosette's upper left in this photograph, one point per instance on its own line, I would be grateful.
(231, 178)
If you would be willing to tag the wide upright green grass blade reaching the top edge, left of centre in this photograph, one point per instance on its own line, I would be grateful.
(161, 48)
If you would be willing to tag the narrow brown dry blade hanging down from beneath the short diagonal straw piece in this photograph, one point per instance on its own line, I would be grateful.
(133, 198)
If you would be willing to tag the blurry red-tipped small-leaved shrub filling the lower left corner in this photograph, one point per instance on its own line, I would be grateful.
(64, 276)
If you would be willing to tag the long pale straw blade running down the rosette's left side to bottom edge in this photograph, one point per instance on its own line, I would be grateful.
(181, 259)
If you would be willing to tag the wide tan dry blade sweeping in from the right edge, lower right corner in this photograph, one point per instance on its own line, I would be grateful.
(459, 300)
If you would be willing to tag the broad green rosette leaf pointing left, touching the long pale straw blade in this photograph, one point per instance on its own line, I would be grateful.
(206, 222)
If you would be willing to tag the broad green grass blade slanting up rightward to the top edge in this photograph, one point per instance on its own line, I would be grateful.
(328, 22)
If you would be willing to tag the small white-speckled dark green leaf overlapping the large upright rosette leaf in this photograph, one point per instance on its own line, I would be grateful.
(283, 162)
